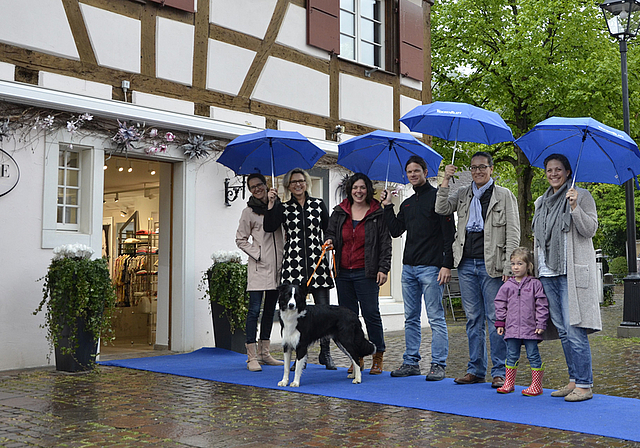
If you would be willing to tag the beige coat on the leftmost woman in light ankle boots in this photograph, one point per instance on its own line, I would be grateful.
(264, 250)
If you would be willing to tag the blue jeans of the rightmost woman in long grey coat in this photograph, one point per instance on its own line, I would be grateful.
(575, 341)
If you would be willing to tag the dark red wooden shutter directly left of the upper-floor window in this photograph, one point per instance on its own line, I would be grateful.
(323, 24)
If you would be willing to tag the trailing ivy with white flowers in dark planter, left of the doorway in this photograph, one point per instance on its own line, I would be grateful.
(78, 299)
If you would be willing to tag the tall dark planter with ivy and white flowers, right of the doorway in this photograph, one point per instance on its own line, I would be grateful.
(226, 281)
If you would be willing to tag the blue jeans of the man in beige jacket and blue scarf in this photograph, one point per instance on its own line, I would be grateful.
(478, 291)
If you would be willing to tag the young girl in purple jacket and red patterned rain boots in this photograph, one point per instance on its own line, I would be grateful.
(522, 310)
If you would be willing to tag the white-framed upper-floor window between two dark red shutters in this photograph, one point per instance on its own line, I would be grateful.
(362, 31)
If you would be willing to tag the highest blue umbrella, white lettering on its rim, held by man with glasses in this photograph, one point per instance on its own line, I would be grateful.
(458, 122)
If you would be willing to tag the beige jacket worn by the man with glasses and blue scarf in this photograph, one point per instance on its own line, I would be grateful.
(501, 226)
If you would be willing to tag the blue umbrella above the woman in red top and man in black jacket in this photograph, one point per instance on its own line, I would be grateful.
(382, 155)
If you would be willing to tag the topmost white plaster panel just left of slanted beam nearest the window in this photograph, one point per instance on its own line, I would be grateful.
(247, 16)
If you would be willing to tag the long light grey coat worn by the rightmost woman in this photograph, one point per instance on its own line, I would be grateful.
(582, 272)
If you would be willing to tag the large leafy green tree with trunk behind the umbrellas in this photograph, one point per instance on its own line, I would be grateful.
(527, 60)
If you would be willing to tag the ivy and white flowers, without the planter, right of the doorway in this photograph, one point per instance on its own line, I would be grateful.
(227, 286)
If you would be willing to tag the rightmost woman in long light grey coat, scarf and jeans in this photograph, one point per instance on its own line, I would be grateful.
(564, 224)
